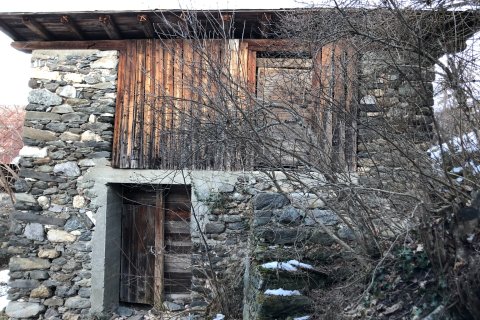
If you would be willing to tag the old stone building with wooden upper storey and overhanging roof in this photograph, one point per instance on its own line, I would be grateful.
(136, 189)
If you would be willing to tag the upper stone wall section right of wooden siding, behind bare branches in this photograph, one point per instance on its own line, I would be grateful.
(395, 110)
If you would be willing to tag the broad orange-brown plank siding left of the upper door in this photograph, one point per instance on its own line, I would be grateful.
(163, 116)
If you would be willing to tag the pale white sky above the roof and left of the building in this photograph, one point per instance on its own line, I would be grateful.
(15, 65)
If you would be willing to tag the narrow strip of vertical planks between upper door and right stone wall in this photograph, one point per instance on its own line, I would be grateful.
(334, 90)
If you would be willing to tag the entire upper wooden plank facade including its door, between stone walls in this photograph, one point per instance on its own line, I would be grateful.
(200, 104)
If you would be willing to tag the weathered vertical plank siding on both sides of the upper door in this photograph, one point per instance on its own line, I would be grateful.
(178, 106)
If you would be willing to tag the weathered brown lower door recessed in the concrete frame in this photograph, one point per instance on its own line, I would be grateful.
(156, 245)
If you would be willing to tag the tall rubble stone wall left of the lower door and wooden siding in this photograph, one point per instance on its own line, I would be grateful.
(68, 124)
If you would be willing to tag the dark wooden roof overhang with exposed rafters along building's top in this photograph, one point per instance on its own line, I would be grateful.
(107, 29)
